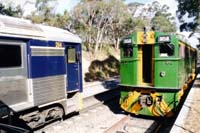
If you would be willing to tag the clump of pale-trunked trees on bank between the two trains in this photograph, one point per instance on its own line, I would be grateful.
(100, 22)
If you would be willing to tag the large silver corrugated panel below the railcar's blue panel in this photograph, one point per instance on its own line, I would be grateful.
(48, 89)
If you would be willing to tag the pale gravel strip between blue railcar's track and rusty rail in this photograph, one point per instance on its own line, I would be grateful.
(95, 120)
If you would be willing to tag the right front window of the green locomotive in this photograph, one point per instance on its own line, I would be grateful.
(166, 49)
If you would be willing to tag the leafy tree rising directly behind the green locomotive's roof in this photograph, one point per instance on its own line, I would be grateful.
(158, 17)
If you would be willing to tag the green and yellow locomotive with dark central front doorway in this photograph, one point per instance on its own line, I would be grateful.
(156, 68)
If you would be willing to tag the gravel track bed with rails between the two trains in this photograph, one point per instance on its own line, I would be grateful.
(102, 114)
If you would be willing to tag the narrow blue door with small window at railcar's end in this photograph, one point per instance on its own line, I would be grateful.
(73, 67)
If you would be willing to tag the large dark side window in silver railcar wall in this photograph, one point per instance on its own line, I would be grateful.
(10, 56)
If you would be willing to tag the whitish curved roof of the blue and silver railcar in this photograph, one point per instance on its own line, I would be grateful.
(21, 28)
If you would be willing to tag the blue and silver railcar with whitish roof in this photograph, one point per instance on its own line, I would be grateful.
(40, 70)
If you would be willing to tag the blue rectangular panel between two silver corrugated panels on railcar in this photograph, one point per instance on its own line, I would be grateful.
(47, 66)
